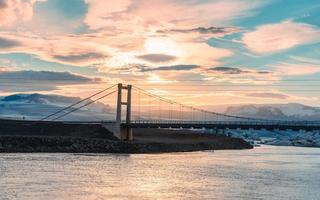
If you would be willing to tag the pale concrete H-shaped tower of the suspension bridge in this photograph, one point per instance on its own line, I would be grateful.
(124, 133)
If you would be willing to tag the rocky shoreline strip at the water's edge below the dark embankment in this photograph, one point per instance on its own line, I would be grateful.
(29, 144)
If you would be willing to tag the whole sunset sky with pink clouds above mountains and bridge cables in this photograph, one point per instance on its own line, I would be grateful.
(199, 52)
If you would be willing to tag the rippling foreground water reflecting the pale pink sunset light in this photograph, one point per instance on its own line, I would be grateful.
(263, 173)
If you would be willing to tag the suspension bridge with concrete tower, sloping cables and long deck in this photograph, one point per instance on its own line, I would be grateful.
(145, 109)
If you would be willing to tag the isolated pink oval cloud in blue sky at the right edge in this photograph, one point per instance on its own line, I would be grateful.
(272, 38)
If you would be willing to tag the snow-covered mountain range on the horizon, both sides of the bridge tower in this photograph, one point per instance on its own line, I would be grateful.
(37, 106)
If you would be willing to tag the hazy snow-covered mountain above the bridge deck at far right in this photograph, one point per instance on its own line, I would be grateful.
(293, 111)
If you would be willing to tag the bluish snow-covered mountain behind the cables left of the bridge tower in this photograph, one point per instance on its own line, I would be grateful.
(37, 106)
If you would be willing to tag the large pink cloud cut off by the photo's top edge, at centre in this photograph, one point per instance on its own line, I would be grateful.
(168, 14)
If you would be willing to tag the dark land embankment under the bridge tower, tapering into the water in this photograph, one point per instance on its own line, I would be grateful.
(23, 136)
